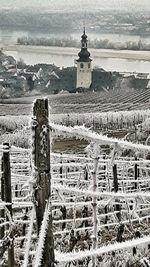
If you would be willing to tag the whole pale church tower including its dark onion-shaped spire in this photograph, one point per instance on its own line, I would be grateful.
(84, 70)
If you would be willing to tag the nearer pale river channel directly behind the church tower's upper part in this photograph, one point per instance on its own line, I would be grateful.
(108, 64)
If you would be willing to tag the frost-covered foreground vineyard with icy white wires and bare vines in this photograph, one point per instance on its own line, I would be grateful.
(99, 202)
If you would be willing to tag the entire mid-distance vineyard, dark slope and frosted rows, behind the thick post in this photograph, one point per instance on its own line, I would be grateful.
(116, 113)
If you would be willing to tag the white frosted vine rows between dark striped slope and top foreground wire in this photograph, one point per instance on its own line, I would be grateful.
(132, 125)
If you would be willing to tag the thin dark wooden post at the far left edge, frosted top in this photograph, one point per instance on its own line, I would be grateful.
(8, 197)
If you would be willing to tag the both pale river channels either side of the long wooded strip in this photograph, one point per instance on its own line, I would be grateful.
(8, 36)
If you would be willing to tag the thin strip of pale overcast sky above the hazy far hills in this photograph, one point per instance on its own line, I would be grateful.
(80, 4)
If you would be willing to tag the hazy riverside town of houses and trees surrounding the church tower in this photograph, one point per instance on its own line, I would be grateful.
(18, 79)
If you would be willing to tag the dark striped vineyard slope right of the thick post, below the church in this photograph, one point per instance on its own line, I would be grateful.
(101, 102)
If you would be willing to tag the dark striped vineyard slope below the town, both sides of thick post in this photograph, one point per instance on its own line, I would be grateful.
(90, 102)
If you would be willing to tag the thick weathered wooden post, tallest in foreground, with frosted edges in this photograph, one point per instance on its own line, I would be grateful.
(43, 175)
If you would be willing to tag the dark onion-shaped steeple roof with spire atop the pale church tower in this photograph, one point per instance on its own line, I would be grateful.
(84, 55)
